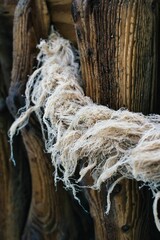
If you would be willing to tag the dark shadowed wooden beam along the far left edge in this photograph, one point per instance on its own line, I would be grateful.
(15, 191)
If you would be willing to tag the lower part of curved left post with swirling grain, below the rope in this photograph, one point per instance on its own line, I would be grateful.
(51, 214)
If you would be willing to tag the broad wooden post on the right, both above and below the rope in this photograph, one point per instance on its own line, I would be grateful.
(118, 43)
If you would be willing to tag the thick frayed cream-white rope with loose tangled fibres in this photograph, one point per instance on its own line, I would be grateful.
(110, 143)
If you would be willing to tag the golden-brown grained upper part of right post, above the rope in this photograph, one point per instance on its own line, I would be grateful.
(126, 34)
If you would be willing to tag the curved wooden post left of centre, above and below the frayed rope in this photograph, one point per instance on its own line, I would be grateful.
(51, 214)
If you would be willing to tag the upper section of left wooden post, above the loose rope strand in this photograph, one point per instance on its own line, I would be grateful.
(31, 23)
